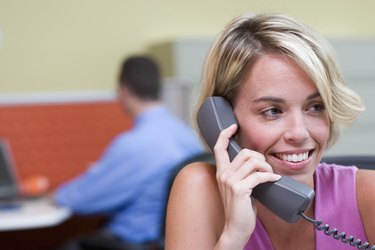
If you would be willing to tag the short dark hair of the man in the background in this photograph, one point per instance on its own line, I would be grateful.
(141, 75)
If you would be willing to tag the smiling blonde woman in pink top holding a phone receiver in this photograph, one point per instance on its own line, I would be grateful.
(290, 101)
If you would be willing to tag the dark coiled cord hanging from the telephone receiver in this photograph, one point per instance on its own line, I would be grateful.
(335, 234)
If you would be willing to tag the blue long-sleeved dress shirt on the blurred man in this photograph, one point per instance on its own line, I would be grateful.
(130, 180)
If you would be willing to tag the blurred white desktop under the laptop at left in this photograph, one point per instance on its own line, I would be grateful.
(35, 213)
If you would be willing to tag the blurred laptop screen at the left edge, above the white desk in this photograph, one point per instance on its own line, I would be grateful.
(8, 181)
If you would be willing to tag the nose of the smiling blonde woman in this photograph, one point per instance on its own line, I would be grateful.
(296, 130)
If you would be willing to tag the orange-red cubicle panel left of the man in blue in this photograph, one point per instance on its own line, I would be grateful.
(60, 141)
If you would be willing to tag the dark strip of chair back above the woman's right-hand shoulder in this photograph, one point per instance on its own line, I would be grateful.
(360, 161)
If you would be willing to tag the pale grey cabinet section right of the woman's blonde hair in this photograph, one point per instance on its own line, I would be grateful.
(357, 60)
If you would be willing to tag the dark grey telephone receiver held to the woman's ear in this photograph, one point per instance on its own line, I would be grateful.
(286, 197)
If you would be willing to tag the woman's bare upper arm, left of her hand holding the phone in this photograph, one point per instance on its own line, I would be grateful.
(195, 214)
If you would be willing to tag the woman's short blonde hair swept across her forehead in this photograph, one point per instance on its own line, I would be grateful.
(250, 36)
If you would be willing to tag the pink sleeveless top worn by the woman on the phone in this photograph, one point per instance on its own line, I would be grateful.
(335, 205)
